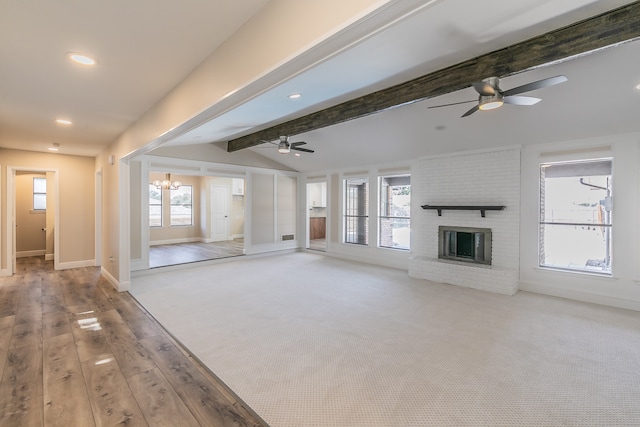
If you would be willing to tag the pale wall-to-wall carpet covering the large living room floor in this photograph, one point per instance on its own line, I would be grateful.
(308, 340)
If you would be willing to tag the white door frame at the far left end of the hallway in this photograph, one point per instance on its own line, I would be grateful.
(10, 253)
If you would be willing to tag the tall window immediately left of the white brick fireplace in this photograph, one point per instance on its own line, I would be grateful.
(395, 212)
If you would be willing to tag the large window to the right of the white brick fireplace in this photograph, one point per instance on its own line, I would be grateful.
(575, 216)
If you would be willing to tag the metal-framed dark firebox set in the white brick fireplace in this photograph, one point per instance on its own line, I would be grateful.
(465, 244)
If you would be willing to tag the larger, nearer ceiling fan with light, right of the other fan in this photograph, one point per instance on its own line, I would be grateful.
(492, 97)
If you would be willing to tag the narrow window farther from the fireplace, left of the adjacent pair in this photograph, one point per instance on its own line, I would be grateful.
(356, 208)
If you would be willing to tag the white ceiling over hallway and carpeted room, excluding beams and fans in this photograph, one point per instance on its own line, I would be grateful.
(148, 50)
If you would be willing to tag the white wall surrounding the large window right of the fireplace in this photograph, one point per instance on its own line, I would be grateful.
(622, 289)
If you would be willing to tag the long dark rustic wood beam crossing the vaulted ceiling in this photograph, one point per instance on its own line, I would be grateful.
(591, 35)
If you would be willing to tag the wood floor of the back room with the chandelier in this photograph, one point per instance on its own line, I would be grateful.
(184, 253)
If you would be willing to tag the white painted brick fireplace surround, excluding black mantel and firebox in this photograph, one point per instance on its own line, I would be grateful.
(490, 178)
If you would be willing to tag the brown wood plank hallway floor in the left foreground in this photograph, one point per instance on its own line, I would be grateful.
(74, 352)
